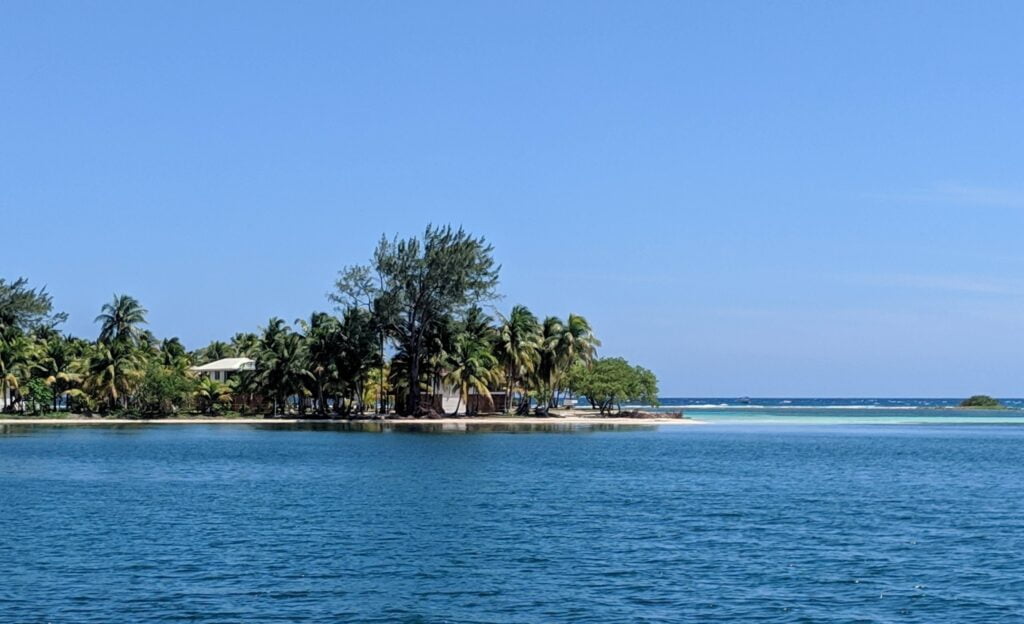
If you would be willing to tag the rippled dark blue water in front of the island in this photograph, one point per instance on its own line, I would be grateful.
(703, 524)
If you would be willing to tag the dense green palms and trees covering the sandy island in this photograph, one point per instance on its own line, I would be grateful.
(406, 325)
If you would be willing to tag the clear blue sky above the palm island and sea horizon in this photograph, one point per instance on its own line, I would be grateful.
(761, 199)
